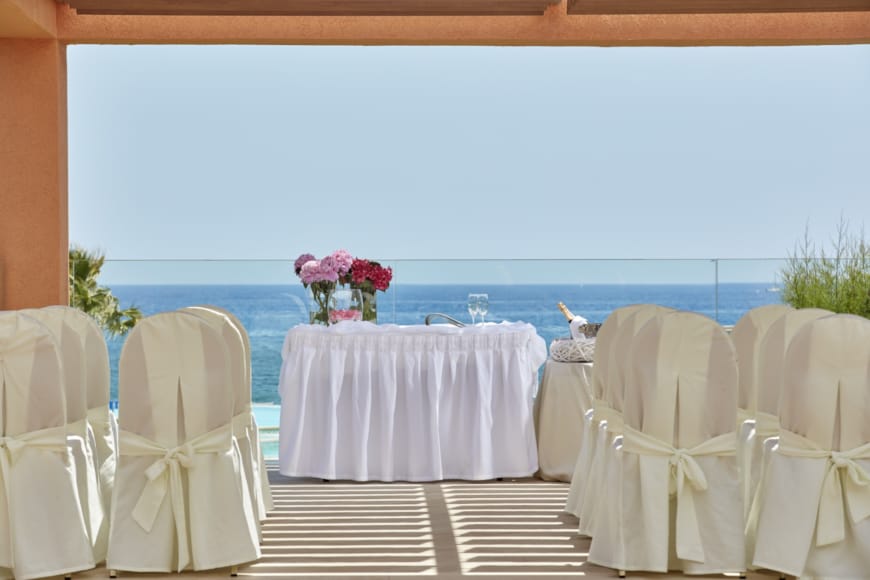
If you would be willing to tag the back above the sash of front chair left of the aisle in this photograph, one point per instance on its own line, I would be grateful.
(174, 379)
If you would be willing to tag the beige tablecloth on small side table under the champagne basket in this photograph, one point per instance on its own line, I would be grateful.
(565, 395)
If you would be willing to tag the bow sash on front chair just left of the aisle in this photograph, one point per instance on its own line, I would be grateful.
(164, 477)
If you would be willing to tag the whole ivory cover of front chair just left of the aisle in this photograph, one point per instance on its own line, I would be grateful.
(180, 496)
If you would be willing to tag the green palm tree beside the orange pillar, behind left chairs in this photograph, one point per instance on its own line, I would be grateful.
(93, 299)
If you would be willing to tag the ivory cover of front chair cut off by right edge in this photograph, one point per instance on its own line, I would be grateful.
(814, 515)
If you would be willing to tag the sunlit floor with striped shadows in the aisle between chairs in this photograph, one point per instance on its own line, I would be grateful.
(451, 529)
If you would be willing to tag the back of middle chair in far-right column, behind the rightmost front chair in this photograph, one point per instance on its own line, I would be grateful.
(771, 355)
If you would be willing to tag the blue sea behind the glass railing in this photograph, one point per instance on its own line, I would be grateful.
(268, 312)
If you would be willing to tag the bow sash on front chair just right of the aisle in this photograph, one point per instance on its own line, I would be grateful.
(684, 469)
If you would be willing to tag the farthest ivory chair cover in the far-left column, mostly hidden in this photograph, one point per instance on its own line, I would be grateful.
(101, 420)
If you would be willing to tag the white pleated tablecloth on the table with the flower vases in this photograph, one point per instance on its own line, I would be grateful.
(411, 403)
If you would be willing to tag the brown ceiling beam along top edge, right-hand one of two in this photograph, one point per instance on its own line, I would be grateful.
(586, 7)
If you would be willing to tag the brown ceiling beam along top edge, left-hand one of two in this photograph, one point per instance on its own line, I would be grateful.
(314, 7)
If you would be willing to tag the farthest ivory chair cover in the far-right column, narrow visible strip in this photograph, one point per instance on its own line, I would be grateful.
(747, 336)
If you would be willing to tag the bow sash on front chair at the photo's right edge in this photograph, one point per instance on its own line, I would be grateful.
(831, 522)
